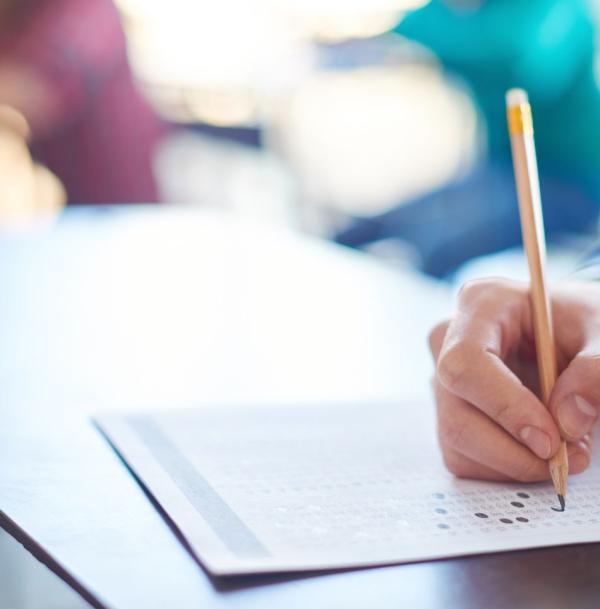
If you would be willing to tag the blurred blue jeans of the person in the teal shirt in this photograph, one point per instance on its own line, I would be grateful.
(476, 216)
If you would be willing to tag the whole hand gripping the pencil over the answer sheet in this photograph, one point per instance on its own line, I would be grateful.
(491, 422)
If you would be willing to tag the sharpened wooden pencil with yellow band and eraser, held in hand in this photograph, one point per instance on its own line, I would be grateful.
(520, 127)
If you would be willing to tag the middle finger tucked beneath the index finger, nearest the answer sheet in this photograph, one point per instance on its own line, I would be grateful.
(465, 429)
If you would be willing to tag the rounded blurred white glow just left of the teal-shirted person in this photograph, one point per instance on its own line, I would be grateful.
(364, 140)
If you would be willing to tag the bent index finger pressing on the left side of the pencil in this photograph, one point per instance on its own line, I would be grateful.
(470, 366)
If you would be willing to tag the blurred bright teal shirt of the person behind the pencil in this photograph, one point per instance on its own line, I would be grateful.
(544, 46)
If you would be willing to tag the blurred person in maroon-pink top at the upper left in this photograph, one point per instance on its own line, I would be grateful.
(64, 66)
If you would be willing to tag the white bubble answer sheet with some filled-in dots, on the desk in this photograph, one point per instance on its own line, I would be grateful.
(313, 488)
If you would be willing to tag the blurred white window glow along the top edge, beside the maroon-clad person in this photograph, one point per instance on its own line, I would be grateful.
(221, 62)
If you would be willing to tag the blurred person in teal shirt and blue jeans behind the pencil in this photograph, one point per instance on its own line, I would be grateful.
(546, 47)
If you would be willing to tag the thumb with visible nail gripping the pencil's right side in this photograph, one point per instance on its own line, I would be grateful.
(575, 400)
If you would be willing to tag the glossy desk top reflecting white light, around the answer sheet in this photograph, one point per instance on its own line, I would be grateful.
(158, 308)
